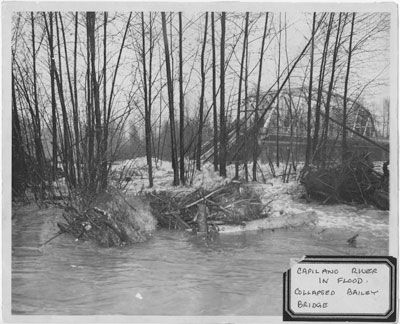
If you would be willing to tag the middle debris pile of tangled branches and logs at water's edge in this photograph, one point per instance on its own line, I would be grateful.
(230, 204)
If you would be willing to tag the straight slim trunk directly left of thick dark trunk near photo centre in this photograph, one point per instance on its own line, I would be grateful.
(214, 91)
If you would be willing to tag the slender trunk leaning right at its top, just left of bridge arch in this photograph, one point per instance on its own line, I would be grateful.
(256, 116)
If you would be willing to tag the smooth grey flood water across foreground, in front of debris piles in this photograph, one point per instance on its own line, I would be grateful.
(174, 273)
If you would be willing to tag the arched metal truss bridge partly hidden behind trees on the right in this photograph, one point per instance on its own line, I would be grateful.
(285, 123)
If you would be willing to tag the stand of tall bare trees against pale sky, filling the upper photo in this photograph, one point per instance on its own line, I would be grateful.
(84, 82)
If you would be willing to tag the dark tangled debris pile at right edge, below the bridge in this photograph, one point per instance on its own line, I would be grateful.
(354, 181)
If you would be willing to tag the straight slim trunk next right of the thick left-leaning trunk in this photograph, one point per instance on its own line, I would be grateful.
(181, 107)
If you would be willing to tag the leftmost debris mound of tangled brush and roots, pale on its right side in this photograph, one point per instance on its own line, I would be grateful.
(111, 219)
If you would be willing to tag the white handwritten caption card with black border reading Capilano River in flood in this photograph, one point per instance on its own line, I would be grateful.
(347, 288)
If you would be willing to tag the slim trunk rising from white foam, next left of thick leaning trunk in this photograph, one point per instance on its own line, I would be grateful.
(147, 117)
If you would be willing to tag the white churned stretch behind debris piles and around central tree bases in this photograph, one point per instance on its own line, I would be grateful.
(281, 198)
